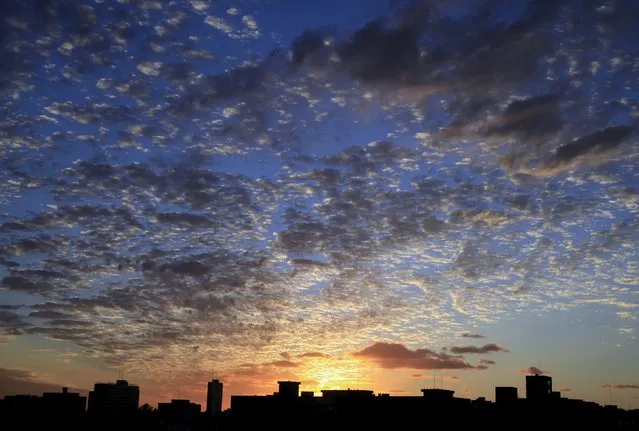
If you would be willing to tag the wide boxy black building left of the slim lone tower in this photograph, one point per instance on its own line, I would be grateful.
(114, 399)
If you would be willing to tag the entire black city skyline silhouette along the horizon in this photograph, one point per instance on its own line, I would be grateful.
(117, 404)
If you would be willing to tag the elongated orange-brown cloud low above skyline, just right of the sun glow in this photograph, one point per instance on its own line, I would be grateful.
(394, 355)
